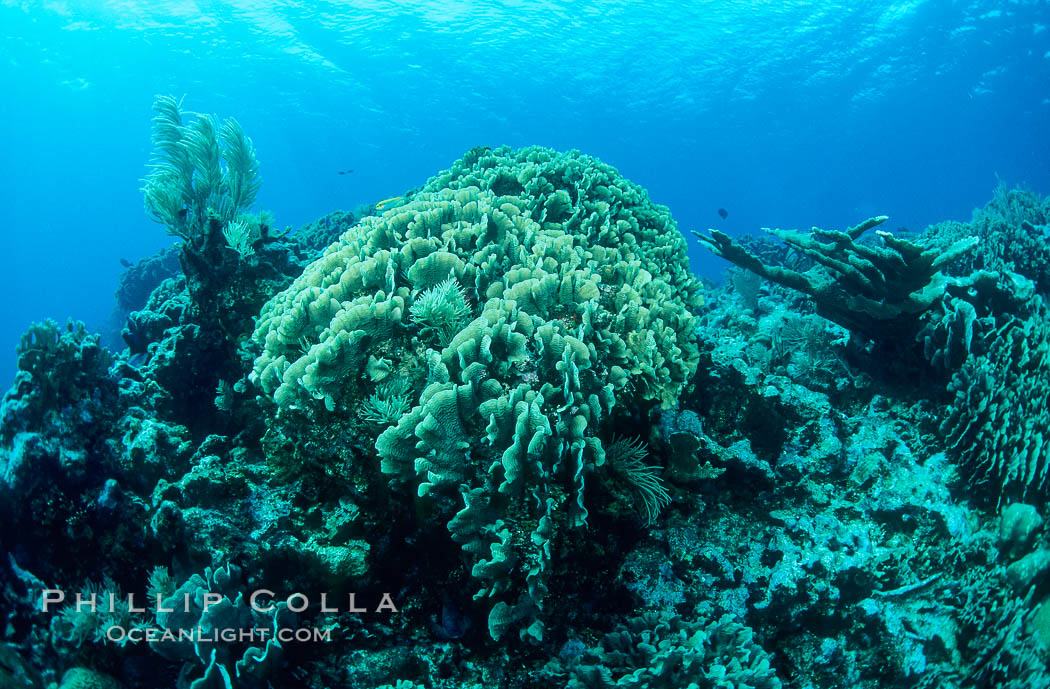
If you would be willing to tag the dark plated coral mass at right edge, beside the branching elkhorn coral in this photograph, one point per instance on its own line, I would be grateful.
(991, 333)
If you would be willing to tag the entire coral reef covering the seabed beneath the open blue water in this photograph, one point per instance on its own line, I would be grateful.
(495, 416)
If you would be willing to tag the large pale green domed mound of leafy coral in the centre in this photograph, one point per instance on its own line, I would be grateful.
(520, 301)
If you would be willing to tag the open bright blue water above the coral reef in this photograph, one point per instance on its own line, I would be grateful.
(786, 114)
